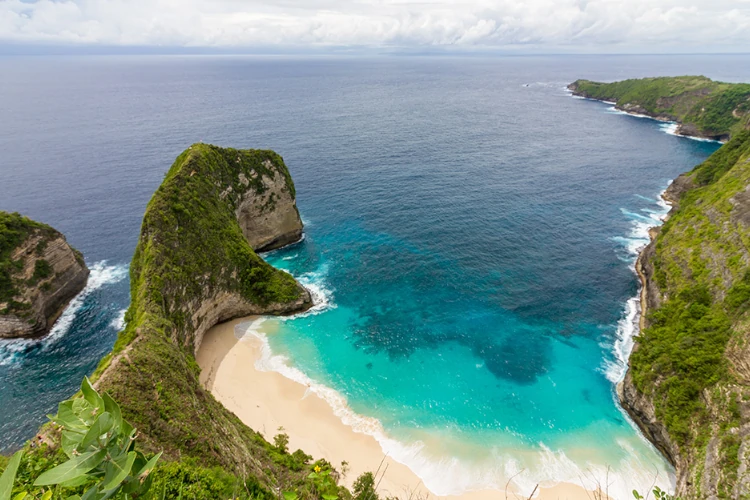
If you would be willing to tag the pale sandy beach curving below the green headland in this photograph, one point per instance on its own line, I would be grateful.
(266, 401)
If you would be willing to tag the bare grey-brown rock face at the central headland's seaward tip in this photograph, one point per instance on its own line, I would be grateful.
(269, 220)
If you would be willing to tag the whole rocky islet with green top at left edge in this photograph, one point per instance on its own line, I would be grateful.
(39, 275)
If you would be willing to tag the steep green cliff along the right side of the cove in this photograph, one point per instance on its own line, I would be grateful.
(688, 384)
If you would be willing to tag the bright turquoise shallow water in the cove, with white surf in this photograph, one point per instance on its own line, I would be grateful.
(463, 390)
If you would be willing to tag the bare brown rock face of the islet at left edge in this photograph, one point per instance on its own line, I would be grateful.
(47, 275)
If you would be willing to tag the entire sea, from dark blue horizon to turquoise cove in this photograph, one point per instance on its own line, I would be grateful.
(470, 235)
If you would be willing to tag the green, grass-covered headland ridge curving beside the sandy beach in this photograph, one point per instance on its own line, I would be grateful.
(195, 266)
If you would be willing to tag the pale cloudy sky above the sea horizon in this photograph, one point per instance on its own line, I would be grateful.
(468, 25)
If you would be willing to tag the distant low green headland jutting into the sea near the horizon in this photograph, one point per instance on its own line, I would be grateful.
(701, 107)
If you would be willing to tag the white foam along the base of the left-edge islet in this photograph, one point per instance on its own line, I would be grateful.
(12, 350)
